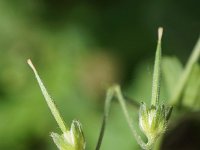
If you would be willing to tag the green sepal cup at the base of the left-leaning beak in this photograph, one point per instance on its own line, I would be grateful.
(72, 139)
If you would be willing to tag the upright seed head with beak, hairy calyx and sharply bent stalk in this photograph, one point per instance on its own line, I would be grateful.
(152, 120)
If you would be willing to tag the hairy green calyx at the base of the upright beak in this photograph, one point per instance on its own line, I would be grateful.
(153, 121)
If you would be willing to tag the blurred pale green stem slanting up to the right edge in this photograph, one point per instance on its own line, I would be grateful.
(186, 73)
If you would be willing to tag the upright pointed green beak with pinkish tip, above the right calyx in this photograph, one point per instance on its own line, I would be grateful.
(157, 71)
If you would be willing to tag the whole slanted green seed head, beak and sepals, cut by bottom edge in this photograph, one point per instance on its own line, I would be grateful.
(70, 139)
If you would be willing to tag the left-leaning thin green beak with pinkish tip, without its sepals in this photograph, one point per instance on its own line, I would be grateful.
(49, 100)
